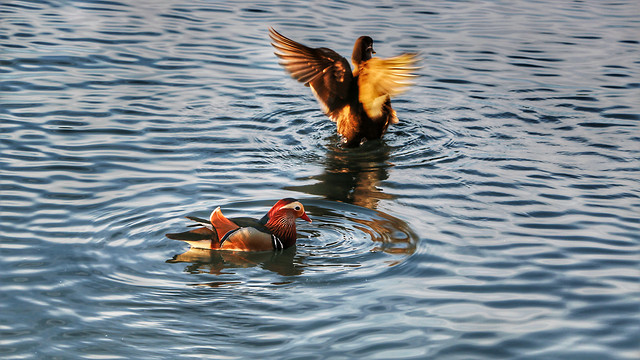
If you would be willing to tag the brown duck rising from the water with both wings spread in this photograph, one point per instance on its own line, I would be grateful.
(357, 101)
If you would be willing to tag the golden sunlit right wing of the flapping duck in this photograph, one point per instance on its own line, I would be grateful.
(380, 79)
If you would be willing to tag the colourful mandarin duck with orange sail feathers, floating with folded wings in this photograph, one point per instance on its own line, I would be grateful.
(275, 231)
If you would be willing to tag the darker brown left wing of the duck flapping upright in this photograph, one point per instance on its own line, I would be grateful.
(325, 71)
